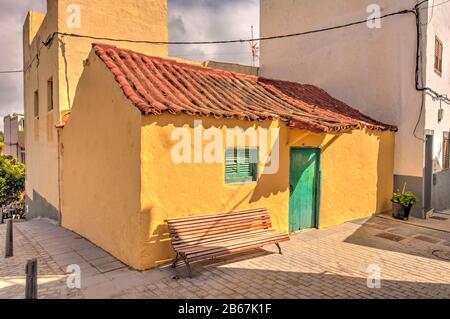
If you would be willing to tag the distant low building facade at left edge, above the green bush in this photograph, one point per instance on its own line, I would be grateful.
(14, 138)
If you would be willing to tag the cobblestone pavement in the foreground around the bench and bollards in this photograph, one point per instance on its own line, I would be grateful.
(331, 263)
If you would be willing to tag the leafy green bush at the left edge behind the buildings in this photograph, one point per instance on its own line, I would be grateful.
(12, 180)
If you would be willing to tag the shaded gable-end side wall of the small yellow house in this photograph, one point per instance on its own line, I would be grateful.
(101, 166)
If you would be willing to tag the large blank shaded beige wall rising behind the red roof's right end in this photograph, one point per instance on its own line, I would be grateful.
(370, 69)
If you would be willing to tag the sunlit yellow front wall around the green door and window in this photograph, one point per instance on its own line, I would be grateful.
(357, 181)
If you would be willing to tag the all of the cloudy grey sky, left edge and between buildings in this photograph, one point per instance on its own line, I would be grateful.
(189, 20)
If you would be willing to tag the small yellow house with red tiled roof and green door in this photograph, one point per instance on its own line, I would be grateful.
(150, 138)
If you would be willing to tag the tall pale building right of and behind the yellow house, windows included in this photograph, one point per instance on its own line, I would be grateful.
(373, 67)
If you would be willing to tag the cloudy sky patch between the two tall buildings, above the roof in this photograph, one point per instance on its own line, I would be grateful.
(210, 20)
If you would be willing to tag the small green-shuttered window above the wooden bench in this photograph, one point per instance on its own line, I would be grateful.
(241, 165)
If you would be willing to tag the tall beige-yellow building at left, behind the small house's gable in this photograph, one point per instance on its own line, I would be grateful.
(62, 61)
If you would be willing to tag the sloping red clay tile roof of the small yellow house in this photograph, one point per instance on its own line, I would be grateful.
(156, 85)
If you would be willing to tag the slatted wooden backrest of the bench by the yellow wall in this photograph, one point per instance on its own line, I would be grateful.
(192, 231)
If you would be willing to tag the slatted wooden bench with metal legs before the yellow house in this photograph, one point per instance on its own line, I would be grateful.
(211, 236)
